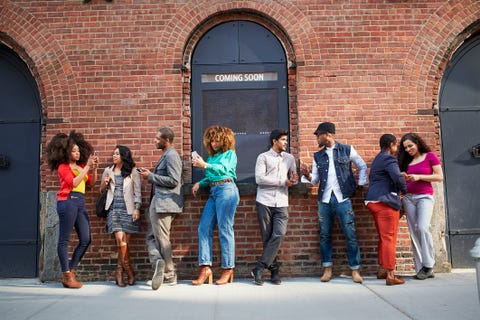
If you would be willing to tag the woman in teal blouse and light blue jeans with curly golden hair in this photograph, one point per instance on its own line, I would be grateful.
(220, 175)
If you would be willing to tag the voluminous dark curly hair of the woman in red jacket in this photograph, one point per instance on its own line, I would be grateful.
(59, 149)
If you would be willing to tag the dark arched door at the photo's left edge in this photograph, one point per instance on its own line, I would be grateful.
(20, 128)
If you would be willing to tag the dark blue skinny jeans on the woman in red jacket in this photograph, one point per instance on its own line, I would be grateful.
(72, 214)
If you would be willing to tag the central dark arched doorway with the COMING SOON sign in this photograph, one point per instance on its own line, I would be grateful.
(239, 80)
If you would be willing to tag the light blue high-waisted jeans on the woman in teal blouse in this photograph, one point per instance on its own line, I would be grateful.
(219, 210)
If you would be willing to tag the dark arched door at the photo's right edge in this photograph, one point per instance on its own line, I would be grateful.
(460, 130)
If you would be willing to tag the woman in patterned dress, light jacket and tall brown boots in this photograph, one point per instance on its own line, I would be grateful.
(124, 200)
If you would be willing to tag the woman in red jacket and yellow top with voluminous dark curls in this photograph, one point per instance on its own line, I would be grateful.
(73, 158)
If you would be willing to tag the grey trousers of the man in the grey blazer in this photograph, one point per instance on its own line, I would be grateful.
(158, 240)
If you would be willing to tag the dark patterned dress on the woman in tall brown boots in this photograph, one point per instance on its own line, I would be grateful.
(118, 219)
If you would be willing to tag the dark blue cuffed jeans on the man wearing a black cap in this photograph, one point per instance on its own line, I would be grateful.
(346, 217)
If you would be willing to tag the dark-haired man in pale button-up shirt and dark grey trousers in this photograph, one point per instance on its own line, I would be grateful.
(275, 172)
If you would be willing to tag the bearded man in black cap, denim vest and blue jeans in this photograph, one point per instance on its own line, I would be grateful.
(332, 169)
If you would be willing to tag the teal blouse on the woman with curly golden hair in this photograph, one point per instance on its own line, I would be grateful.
(222, 165)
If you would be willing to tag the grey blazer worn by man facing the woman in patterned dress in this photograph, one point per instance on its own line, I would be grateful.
(167, 181)
